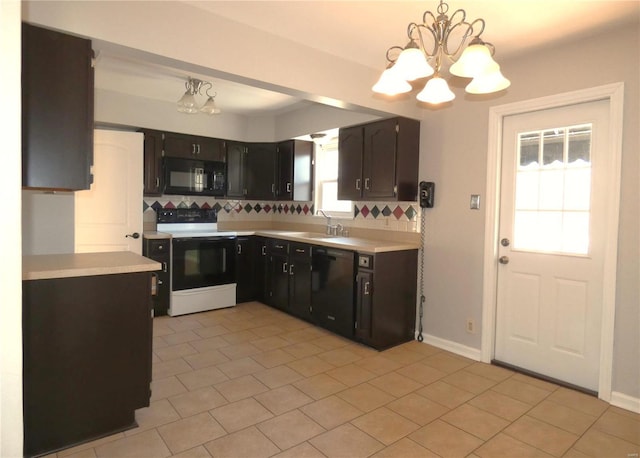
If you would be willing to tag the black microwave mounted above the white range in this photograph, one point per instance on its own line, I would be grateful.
(194, 177)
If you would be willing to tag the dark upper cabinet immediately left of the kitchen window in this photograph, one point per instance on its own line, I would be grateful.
(295, 176)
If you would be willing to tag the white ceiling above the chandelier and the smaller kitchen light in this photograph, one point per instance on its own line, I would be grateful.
(361, 31)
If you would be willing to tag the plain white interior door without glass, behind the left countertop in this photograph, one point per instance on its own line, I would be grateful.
(112, 209)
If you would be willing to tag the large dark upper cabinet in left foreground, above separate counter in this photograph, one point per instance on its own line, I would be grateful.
(57, 110)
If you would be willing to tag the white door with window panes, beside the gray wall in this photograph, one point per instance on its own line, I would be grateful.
(552, 241)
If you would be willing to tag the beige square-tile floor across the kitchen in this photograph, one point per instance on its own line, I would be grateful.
(251, 381)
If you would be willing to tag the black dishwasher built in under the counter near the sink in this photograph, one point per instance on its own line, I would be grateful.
(332, 289)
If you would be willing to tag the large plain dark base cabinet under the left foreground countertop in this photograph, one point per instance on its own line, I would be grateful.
(86, 357)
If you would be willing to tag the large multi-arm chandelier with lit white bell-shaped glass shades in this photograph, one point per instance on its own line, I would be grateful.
(422, 58)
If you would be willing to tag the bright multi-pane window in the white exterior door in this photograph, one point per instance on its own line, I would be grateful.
(553, 196)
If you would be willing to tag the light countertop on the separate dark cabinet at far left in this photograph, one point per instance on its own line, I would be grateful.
(47, 266)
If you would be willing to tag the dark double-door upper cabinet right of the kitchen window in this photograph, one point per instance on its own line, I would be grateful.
(379, 160)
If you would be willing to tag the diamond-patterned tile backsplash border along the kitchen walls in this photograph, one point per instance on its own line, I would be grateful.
(405, 211)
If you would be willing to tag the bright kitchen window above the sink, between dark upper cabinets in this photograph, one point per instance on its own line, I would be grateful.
(326, 180)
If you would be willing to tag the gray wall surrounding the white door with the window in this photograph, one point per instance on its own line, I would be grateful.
(454, 153)
